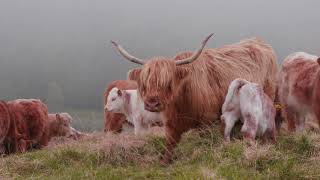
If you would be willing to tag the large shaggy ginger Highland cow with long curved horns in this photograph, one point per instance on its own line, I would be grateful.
(190, 87)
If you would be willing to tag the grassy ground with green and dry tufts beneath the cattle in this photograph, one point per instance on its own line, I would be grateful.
(200, 155)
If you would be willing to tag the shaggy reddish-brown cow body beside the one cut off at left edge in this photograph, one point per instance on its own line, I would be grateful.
(29, 122)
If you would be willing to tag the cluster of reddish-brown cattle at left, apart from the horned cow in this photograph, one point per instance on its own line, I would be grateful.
(26, 124)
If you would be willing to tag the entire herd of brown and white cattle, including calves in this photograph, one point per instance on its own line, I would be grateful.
(237, 82)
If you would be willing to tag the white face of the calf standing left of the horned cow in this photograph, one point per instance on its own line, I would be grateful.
(114, 101)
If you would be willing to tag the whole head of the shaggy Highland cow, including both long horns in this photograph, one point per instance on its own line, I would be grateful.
(159, 77)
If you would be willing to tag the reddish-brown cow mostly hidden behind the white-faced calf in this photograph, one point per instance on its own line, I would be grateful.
(114, 121)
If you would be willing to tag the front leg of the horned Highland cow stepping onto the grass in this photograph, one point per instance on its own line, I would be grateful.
(172, 138)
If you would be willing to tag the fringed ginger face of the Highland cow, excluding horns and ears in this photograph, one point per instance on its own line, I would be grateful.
(157, 81)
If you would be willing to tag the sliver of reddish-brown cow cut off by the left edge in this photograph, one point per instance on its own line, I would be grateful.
(4, 125)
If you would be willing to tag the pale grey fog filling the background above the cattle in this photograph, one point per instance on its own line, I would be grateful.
(59, 50)
